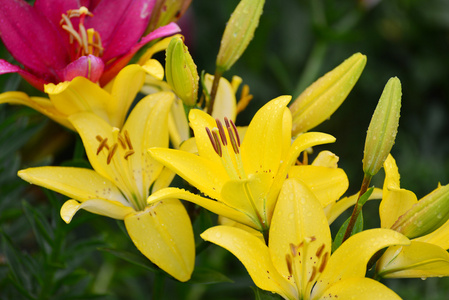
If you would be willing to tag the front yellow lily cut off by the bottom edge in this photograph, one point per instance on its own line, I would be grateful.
(297, 263)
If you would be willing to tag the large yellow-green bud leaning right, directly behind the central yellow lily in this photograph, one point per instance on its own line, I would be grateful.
(321, 99)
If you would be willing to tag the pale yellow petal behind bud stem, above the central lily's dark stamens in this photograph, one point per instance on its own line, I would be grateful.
(225, 104)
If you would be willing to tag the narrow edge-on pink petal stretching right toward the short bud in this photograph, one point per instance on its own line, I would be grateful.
(112, 69)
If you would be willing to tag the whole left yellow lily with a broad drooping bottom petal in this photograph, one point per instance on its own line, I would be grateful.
(121, 180)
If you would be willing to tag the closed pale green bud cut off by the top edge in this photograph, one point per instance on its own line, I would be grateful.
(238, 33)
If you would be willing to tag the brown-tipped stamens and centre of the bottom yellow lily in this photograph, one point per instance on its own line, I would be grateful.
(297, 261)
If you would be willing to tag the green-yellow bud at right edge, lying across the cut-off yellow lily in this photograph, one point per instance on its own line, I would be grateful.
(426, 216)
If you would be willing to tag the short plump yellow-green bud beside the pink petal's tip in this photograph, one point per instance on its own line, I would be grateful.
(181, 72)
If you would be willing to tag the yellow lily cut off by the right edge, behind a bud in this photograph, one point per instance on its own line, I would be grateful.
(427, 255)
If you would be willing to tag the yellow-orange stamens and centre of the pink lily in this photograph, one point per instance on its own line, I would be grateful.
(88, 40)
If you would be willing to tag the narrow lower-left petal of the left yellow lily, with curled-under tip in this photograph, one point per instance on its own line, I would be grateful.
(102, 207)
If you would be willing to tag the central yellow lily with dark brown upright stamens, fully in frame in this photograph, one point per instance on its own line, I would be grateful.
(244, 177)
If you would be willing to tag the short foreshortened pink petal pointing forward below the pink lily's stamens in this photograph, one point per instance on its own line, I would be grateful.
(89, 66)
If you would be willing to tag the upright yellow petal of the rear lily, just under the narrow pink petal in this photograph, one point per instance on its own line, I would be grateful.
(126, 85)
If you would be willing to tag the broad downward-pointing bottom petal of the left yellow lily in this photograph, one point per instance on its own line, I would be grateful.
(163, 233)
